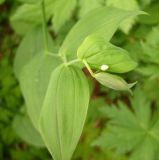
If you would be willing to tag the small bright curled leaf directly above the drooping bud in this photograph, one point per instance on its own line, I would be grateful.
(98, 52)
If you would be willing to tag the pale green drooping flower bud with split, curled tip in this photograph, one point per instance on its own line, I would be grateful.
(113, 81)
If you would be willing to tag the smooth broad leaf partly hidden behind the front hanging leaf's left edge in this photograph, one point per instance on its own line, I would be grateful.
(34, 81)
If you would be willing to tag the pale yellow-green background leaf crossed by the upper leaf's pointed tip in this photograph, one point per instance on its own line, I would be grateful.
(126, 5)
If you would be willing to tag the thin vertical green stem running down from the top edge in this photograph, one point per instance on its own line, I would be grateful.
(44, 22)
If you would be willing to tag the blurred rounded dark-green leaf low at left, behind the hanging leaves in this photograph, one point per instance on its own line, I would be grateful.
(25, 130)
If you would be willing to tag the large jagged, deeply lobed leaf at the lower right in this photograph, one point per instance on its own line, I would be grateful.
(132, 132)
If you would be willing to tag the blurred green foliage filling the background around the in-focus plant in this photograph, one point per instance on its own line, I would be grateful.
(111, 130)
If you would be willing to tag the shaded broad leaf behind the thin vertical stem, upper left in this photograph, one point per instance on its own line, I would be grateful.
(32, 44)
